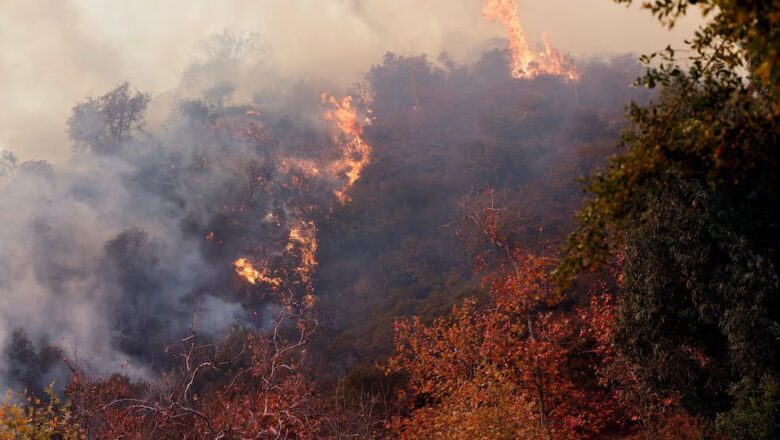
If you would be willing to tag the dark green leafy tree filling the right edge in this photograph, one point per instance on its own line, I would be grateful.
(690, 209)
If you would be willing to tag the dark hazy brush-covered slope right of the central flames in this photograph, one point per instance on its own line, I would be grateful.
(443, 132)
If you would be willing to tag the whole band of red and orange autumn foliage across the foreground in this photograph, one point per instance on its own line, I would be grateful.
(523, 361)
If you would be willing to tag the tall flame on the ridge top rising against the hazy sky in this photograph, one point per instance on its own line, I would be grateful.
(527, 63)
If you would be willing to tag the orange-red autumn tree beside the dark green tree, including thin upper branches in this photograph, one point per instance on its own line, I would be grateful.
(519, 366)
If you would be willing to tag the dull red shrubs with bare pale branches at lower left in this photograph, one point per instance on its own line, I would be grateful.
(251, 391)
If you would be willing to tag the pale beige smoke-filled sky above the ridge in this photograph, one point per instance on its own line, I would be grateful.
(55, 52)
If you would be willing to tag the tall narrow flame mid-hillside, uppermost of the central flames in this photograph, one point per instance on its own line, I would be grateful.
(356, 153)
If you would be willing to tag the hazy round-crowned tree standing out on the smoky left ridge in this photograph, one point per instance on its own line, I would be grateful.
(102, 124)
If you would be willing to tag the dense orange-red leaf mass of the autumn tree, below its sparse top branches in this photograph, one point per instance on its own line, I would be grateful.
(478, 374)
